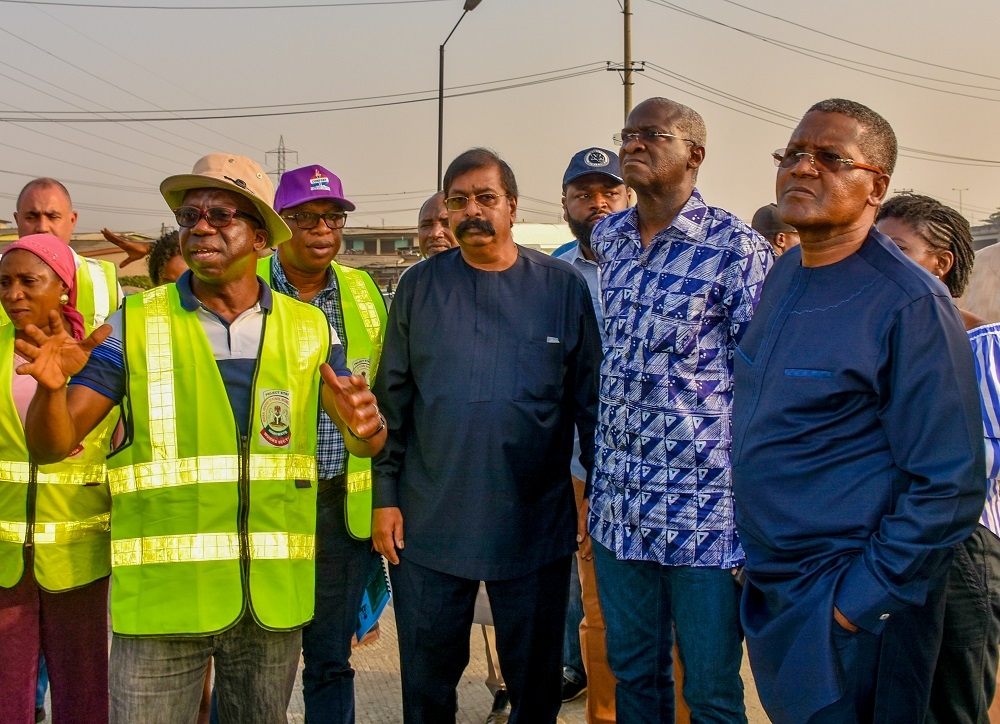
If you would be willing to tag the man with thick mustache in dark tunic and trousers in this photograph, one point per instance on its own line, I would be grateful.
(490, 361)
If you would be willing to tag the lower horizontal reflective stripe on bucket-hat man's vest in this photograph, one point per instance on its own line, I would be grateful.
(210, 547)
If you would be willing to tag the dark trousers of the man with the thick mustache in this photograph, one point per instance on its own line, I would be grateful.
(434, 620)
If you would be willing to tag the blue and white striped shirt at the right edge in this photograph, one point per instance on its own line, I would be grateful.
(986, 353)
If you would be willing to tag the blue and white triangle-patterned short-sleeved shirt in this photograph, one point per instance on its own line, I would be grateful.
(673, 313)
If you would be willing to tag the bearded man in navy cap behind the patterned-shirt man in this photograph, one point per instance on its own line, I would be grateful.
(592, 189)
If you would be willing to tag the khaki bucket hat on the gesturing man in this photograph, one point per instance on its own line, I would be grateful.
(233, 173)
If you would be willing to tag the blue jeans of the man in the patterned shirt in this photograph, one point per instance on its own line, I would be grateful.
(643, 603)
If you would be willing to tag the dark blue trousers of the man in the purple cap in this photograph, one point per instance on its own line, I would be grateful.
(343, 565)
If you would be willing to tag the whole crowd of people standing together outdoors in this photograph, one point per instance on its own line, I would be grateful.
(678, 433)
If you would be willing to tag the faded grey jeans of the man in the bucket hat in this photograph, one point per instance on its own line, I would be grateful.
(161, 680)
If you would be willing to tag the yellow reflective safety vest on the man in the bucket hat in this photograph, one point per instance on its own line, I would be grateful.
(207, 523)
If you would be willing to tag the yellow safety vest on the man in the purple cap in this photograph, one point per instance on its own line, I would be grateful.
(364, 322)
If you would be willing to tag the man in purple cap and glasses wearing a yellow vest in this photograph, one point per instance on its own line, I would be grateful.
(311, 201)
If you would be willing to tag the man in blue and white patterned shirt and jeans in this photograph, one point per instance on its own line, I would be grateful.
(679, 283)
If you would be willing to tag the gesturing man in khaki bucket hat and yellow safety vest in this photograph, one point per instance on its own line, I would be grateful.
(214, 490)
